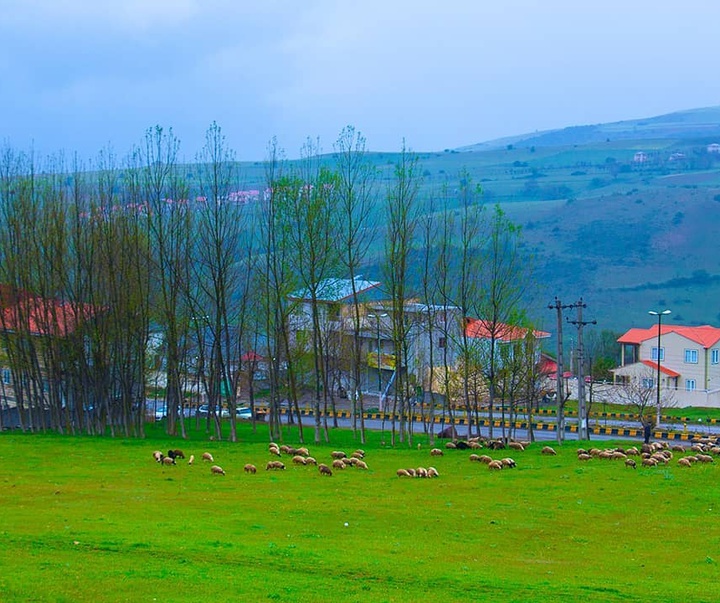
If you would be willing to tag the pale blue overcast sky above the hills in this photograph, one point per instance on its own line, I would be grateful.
(79, 75)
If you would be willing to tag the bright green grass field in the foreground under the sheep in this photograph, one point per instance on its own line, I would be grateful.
(95, 519)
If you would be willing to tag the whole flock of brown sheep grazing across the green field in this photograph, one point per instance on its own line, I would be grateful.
(649, 455)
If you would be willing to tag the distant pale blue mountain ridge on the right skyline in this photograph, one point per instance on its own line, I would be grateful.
(694, 123)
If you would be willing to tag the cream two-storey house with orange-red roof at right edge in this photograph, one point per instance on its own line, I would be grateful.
(688, 359)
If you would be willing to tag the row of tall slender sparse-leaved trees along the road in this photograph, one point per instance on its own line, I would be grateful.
(175, 272)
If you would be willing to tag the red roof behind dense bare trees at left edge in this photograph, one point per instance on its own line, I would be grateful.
(22, 311)
